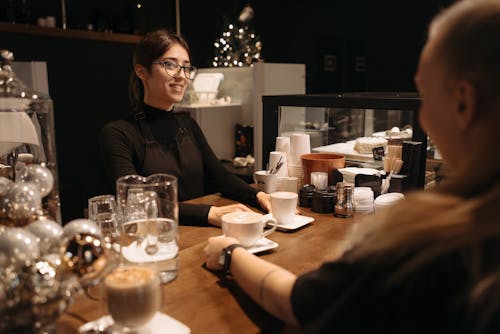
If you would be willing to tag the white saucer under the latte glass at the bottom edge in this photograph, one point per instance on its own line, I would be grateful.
(159, 324)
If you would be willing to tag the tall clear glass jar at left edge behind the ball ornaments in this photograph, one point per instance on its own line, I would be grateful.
(27, 132)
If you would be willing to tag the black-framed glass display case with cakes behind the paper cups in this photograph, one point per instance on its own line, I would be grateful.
(335, 123)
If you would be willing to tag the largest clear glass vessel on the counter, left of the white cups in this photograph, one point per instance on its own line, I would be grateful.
(149, 211)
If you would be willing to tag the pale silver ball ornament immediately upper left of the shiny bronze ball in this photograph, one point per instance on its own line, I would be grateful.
(48, 233)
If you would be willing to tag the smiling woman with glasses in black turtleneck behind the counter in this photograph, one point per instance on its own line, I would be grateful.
(156, 139)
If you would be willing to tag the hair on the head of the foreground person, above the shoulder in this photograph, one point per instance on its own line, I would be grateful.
(467, 34)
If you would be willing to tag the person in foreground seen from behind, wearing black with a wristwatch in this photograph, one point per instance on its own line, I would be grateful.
(432, 264)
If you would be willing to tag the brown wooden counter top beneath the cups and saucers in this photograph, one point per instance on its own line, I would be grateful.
(199, 299)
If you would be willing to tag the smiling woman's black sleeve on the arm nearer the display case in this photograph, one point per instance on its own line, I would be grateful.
(228, 184)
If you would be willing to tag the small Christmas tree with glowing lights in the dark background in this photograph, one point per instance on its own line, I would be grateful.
(239, 45)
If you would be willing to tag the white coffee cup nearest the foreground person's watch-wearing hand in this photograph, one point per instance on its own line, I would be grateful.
(247, 227)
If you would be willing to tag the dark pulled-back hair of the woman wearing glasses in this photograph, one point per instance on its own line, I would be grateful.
(150, 48)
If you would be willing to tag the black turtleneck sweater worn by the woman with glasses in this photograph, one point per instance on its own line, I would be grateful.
(123, 148)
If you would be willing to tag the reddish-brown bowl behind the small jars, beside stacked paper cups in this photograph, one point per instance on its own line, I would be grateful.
(320, 162)
